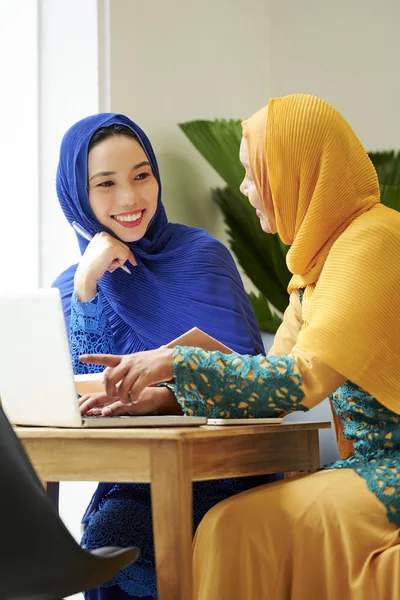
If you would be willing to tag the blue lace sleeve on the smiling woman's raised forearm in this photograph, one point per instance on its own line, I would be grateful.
(90, 333)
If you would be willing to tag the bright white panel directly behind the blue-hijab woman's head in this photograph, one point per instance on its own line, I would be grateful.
(69, 91)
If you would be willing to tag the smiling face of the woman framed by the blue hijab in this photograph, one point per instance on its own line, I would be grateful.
(123, 191)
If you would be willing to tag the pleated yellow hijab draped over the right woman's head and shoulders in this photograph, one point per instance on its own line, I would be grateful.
(345, 245)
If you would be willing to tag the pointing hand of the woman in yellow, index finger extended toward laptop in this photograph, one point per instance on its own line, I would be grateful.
(126, 376)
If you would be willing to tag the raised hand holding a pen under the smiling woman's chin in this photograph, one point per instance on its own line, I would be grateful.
(104, 253)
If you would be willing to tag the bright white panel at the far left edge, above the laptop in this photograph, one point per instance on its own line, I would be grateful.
(19, 234)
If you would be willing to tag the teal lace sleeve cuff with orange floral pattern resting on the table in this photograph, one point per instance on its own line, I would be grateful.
(220, 385)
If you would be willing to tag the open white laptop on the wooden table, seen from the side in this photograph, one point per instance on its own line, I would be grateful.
(36, 378)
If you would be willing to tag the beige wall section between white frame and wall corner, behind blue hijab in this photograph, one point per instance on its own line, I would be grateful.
(180, 60)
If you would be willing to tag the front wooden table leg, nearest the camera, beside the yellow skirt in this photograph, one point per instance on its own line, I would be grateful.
(172, 510)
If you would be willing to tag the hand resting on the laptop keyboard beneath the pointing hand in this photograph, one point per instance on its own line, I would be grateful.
(152, 401)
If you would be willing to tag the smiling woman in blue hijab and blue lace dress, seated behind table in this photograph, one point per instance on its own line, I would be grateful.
(141, 282)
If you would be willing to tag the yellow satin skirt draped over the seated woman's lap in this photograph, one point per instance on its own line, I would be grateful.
(319, 537)
